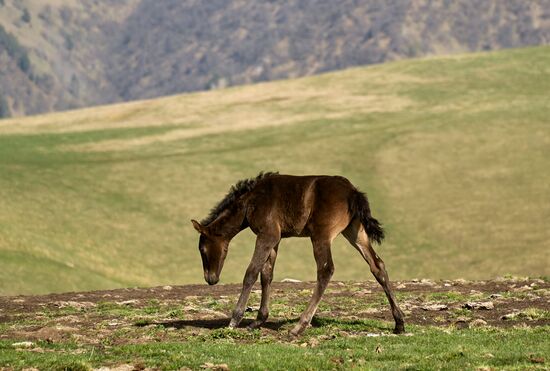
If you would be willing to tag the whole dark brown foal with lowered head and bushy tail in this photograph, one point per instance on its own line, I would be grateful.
(276, 206)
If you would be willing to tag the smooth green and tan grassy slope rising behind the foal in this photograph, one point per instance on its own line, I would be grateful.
(453, 153)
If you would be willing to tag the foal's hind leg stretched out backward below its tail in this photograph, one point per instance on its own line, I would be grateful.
(356, 235)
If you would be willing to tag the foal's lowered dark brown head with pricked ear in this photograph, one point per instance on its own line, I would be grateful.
(213, 249)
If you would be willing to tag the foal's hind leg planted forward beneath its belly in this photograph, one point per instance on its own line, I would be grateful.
(325, 269)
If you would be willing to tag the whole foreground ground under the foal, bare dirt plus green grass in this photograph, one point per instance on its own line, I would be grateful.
(185, 328)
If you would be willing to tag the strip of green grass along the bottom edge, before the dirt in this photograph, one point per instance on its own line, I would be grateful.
(426, 349)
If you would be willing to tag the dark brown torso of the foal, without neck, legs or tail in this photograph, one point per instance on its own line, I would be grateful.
(300, 205)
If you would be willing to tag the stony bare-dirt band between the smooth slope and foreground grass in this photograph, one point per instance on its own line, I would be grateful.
(146, 314)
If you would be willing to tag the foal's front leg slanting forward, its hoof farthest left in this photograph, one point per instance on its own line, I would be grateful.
(265, 243)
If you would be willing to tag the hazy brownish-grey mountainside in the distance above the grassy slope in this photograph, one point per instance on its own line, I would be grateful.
(89, 52)
